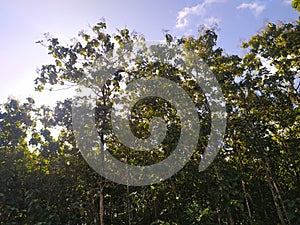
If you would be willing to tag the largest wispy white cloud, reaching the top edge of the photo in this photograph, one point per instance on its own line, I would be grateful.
(200, 9)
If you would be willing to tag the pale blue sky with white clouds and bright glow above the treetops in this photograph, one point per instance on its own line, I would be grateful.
(23, 22)
